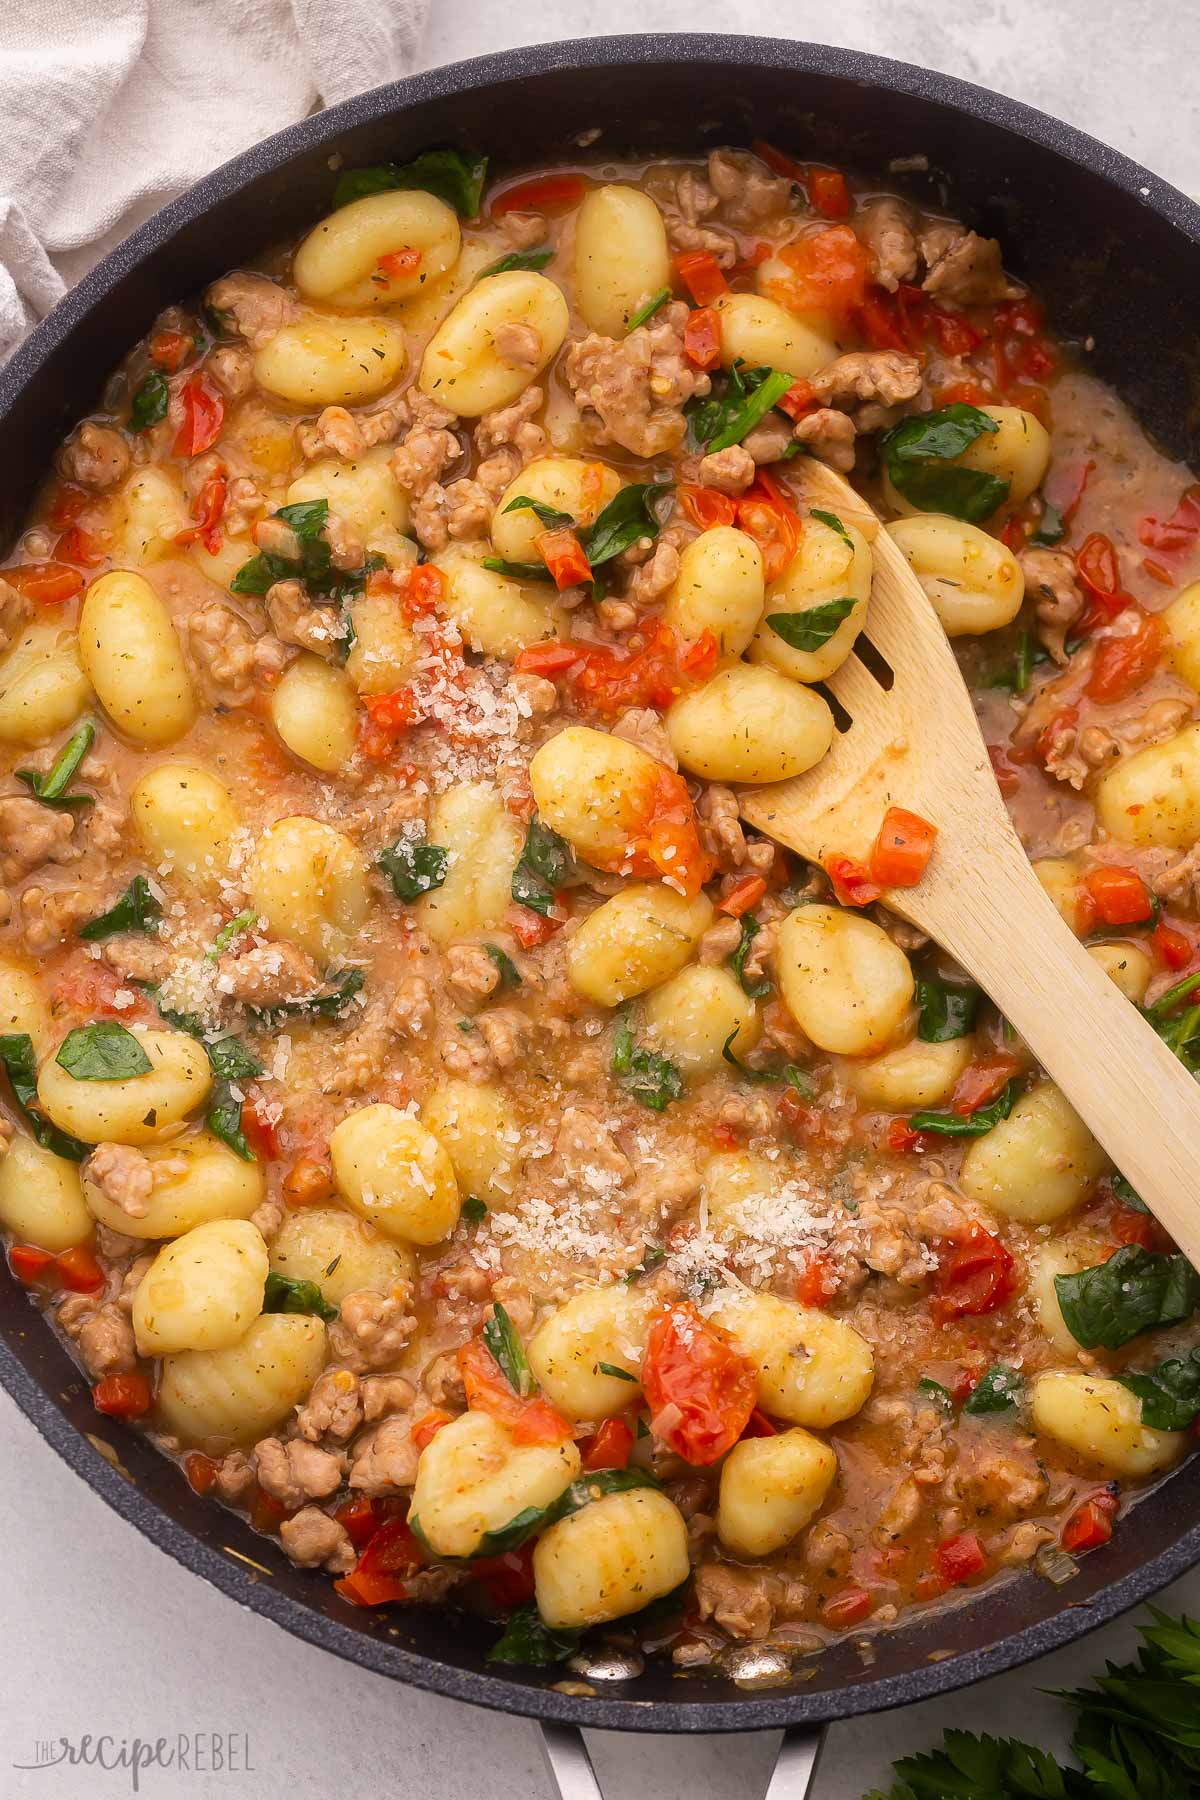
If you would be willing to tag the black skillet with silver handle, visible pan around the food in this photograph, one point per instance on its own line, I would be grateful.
(1116, 255)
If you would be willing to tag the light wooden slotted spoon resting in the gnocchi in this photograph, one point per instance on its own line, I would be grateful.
(917, 744)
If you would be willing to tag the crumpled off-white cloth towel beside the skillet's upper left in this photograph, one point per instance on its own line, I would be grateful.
(109, 109)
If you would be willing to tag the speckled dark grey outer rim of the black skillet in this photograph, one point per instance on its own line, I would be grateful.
(300, 1619)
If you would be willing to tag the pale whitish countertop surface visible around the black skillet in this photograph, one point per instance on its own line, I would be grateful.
(107, 1635)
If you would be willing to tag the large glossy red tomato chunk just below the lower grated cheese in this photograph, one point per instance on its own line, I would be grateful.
(699, 1387)
